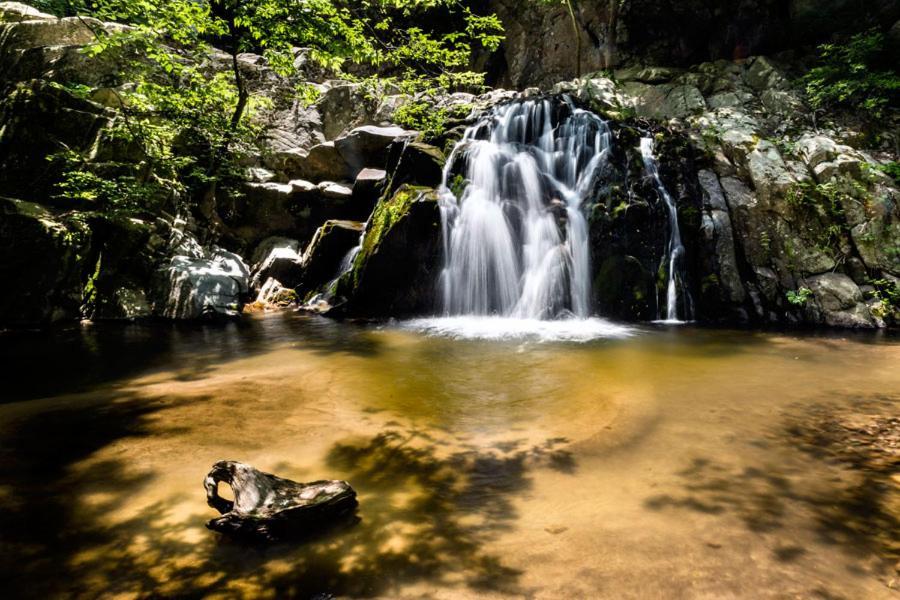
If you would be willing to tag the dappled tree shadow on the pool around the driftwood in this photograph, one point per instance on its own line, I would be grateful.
(428, 507)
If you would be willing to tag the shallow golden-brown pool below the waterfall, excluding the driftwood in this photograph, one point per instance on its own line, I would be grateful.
(672, 462)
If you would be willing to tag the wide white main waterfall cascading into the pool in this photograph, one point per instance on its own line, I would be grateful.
(516, 238)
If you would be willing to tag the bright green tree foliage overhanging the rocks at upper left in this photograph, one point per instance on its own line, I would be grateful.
(191, 113)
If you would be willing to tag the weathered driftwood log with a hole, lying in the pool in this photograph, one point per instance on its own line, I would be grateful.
(269, 507)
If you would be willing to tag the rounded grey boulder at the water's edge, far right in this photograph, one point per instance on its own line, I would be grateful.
(837, 302)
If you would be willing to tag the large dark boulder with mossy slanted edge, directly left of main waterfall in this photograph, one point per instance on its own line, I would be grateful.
(396, 270)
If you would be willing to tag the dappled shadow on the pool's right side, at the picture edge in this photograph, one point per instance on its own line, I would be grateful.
(854, 505)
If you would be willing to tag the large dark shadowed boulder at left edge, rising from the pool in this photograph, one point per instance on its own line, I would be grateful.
(41, 261)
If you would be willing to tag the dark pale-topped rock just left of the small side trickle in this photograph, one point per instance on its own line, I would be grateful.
(328, 254)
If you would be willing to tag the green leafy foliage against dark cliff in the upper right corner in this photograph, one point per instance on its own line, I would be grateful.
(859, 74)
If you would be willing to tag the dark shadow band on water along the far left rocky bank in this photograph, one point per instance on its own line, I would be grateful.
(81, 357)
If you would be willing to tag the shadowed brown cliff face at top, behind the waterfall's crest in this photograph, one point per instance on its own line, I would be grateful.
(670, 32)
